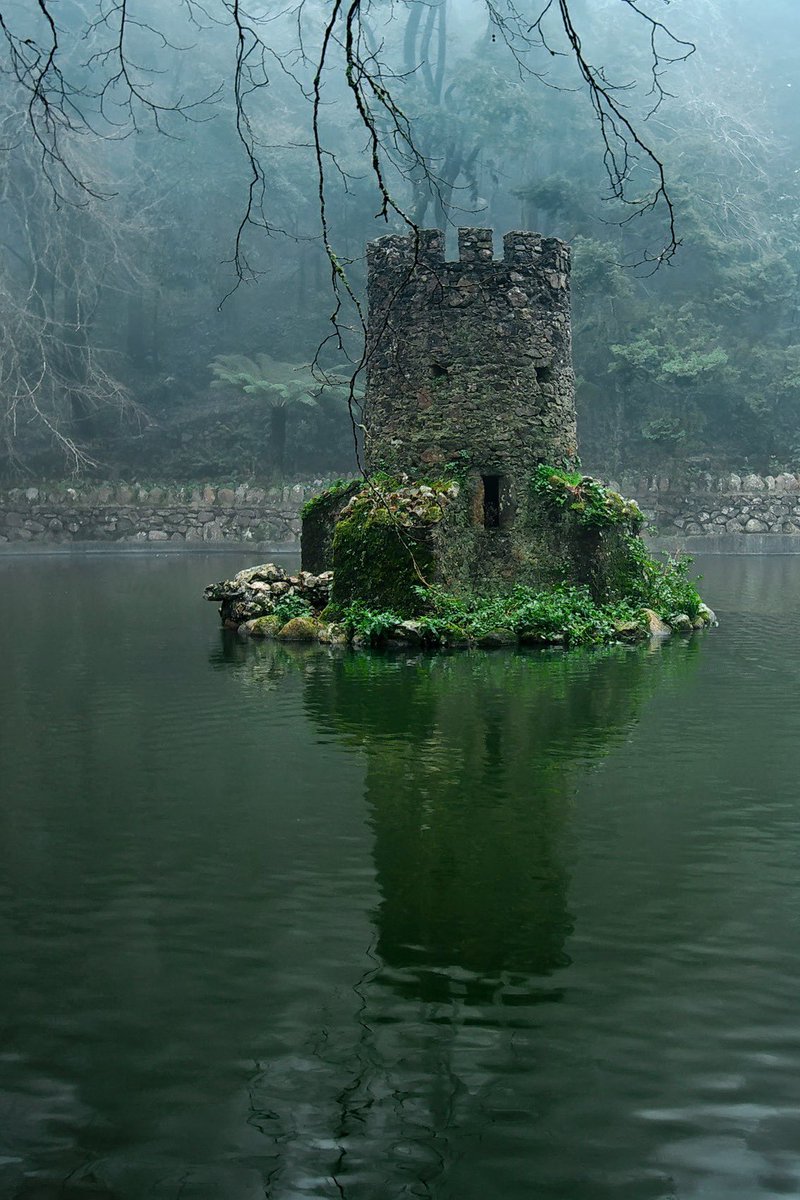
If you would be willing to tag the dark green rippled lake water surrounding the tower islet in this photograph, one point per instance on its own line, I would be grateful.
(297, 923)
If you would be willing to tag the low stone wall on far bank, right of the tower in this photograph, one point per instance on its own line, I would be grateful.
(718, 506)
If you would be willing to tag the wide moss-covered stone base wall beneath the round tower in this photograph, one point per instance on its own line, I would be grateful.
(382, 553)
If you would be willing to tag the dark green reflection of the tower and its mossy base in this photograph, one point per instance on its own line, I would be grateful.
(470, 779)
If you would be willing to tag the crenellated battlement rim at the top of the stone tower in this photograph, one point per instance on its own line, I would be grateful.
(425, 249)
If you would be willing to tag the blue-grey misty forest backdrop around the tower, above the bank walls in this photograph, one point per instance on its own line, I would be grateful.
(188, 191)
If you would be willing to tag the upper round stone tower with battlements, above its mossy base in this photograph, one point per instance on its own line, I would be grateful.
(470, 363)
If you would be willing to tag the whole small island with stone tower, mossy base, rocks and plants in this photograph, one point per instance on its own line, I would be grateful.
(473, 524)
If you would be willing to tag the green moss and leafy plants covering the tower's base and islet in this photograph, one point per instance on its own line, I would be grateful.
(387, 556)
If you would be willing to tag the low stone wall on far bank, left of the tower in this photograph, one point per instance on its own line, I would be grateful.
(152, 514)
